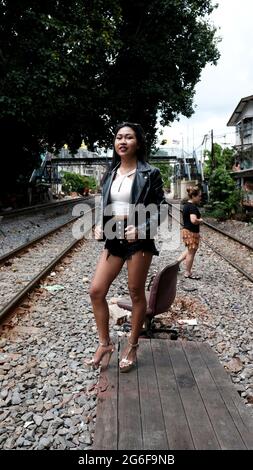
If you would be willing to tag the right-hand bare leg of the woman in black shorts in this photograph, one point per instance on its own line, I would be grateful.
(138, 267)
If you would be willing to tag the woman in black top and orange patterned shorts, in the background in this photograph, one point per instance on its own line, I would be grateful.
(191, 221)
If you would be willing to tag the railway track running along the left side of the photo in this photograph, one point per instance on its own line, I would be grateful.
(23, 268)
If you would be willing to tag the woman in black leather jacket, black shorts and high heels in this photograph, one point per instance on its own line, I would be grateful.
(130, 181)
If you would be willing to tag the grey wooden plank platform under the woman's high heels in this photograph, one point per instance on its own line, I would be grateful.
(178, 397)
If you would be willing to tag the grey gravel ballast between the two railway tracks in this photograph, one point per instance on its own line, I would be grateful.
(48, 396)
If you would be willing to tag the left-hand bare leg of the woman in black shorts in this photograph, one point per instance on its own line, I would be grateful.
(106, 271)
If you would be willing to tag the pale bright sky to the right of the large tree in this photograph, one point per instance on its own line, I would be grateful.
(222, 86)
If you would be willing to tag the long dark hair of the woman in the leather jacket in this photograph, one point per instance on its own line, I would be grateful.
(141, 152)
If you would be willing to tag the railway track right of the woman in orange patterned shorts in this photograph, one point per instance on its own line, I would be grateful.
(236, 252)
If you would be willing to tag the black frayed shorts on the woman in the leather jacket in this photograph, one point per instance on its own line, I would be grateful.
(125, 250)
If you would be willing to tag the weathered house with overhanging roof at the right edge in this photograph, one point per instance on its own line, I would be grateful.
(242, 119)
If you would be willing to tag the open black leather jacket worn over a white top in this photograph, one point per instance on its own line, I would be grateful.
(147, 188)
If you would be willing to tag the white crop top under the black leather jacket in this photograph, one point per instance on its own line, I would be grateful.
(120, 193)
